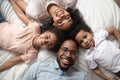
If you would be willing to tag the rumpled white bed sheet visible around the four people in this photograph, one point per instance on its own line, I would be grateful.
(98, 14)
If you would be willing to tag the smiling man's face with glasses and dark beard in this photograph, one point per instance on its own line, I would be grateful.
(67, 54)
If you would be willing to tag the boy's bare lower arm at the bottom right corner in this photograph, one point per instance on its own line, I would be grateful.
(101, 74)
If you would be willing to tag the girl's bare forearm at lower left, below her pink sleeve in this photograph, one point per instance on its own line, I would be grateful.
(9, 63)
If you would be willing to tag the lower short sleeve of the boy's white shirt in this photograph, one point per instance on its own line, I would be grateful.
(91, 62)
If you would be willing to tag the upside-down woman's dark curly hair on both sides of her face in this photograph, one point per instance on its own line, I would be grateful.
(75, 16)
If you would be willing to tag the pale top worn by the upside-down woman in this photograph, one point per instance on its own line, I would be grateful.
(37, 9)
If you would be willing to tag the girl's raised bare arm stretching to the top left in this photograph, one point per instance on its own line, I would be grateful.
(20, 13)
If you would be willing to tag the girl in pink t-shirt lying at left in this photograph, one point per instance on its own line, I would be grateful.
(26, 41)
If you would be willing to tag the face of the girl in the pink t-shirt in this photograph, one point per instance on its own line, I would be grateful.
(47, 40)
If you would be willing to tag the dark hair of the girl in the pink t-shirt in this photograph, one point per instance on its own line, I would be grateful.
(60, 38)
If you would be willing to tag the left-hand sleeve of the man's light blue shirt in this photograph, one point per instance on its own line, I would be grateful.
(31, 72)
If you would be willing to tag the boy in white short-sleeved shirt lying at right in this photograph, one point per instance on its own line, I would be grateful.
(99, 50)
